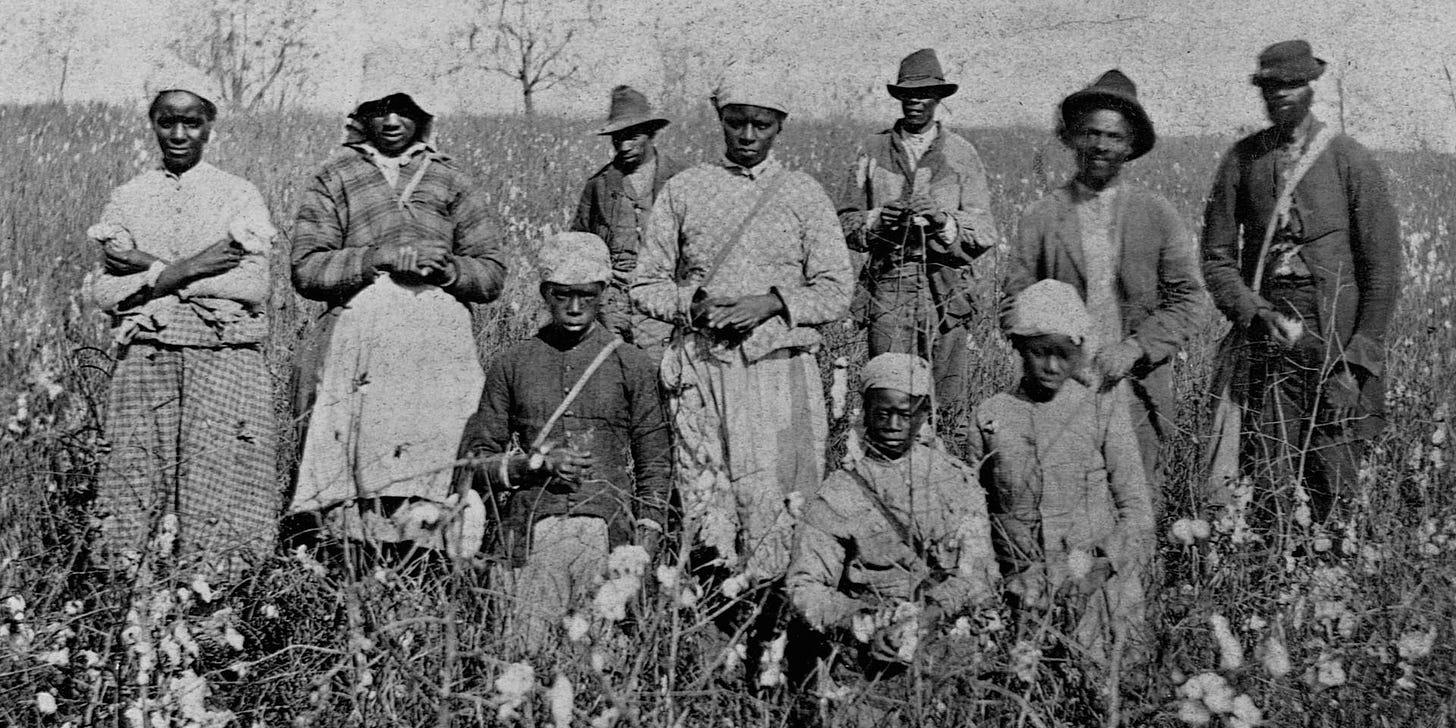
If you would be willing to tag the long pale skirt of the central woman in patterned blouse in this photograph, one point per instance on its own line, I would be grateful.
(749, 446)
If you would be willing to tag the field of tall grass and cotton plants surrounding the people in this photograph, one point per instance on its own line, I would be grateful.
(1333, 630)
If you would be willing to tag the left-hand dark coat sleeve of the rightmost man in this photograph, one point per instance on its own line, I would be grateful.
(1221, 247)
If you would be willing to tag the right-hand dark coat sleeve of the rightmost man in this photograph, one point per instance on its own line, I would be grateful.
(1378, 258)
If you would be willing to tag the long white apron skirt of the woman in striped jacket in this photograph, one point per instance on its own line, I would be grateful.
(401, 378)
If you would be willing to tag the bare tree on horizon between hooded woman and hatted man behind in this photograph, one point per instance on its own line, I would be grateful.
(531, 43)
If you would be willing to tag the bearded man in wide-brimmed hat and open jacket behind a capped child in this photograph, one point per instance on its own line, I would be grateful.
(1126, 251)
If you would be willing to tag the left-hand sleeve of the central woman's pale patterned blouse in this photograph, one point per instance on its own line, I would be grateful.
(656, 289)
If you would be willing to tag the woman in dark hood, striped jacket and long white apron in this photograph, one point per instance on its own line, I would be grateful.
(395, 238)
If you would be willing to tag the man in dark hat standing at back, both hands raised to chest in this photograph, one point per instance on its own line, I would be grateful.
(919, 206)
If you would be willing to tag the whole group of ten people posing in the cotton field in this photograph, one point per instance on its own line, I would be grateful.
(675, 395)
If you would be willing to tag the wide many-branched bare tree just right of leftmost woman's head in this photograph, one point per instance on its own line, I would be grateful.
(256, 50)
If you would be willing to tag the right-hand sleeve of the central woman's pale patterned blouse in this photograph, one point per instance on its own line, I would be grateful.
(828, 280)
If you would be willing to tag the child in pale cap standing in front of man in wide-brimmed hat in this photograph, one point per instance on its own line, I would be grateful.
(1069, 503)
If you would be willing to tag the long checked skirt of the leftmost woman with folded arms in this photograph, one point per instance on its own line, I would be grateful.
(193, 436)
